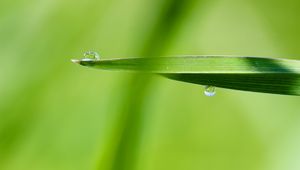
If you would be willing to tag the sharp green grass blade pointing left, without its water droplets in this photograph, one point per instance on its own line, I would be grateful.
(267, 75)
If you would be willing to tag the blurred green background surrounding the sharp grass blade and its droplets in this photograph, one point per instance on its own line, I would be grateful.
(55, 115)
